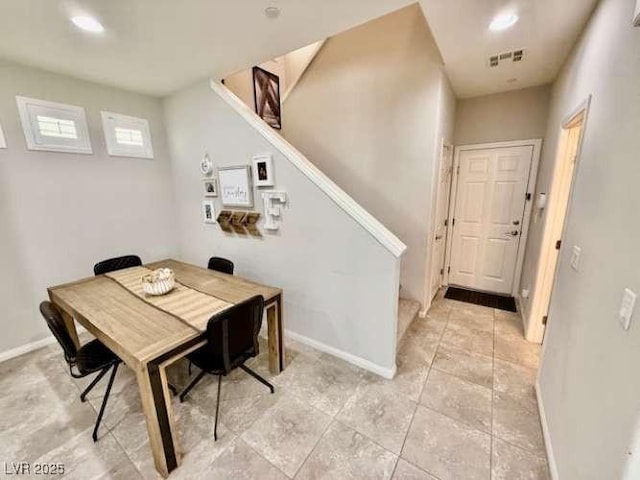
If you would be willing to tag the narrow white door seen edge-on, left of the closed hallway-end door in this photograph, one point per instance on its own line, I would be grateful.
(442, 209)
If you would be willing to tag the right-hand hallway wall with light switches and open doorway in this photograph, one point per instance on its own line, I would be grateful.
(588, 380)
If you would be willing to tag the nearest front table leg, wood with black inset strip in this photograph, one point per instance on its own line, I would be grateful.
(156, 404)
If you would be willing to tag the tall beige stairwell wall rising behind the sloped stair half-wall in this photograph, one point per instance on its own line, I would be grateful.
(366, 113)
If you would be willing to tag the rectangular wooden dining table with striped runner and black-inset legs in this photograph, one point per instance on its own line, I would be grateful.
(151, 333)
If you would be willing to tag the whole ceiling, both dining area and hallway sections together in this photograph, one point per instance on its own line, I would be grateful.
(159, 46)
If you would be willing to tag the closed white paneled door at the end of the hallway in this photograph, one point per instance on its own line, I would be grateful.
(488, 216)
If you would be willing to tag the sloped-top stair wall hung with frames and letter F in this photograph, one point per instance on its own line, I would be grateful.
(340, 284)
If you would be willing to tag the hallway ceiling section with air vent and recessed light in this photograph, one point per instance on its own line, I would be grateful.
(547, 30)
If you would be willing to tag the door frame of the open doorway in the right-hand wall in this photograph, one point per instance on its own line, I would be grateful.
(534, 324)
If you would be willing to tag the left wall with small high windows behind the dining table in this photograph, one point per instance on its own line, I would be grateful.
(62, 212)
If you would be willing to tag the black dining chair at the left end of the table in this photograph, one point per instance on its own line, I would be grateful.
(90, 358)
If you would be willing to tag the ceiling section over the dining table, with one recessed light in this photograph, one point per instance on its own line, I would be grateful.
(158, 46)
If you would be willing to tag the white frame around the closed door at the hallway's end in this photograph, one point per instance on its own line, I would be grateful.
(536, 143)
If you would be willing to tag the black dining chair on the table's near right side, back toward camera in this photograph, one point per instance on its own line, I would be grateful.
(232, 339)
